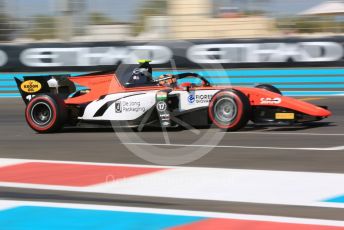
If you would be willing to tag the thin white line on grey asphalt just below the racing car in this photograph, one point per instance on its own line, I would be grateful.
(333, 148)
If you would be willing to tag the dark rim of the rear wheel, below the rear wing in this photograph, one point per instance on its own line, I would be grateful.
(41, 113)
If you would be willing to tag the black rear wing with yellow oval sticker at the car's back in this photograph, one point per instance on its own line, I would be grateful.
(55, 84)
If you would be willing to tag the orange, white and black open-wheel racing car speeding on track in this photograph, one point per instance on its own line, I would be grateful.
(168, 101)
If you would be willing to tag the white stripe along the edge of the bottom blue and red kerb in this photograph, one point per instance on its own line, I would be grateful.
(279, 219)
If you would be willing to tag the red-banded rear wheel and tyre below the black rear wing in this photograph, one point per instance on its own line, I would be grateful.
(46, 113)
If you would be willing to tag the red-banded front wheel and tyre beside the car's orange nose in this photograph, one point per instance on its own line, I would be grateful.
(229, 110)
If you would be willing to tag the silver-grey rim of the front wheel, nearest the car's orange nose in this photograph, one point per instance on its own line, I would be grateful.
(225, 110)
